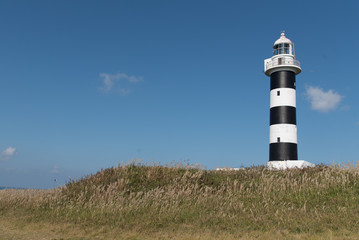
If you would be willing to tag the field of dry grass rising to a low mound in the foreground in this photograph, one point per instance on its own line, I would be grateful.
(182, 202)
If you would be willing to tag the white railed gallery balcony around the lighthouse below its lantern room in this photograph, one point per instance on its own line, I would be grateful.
(281, 63)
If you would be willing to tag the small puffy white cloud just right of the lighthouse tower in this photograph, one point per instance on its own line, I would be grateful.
(323, 101)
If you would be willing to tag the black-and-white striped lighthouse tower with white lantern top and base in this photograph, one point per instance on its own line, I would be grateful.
(282, 69)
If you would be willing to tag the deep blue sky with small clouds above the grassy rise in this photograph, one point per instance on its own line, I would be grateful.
(87, 85)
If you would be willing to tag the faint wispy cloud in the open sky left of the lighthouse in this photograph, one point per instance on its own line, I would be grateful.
(121, 80)
